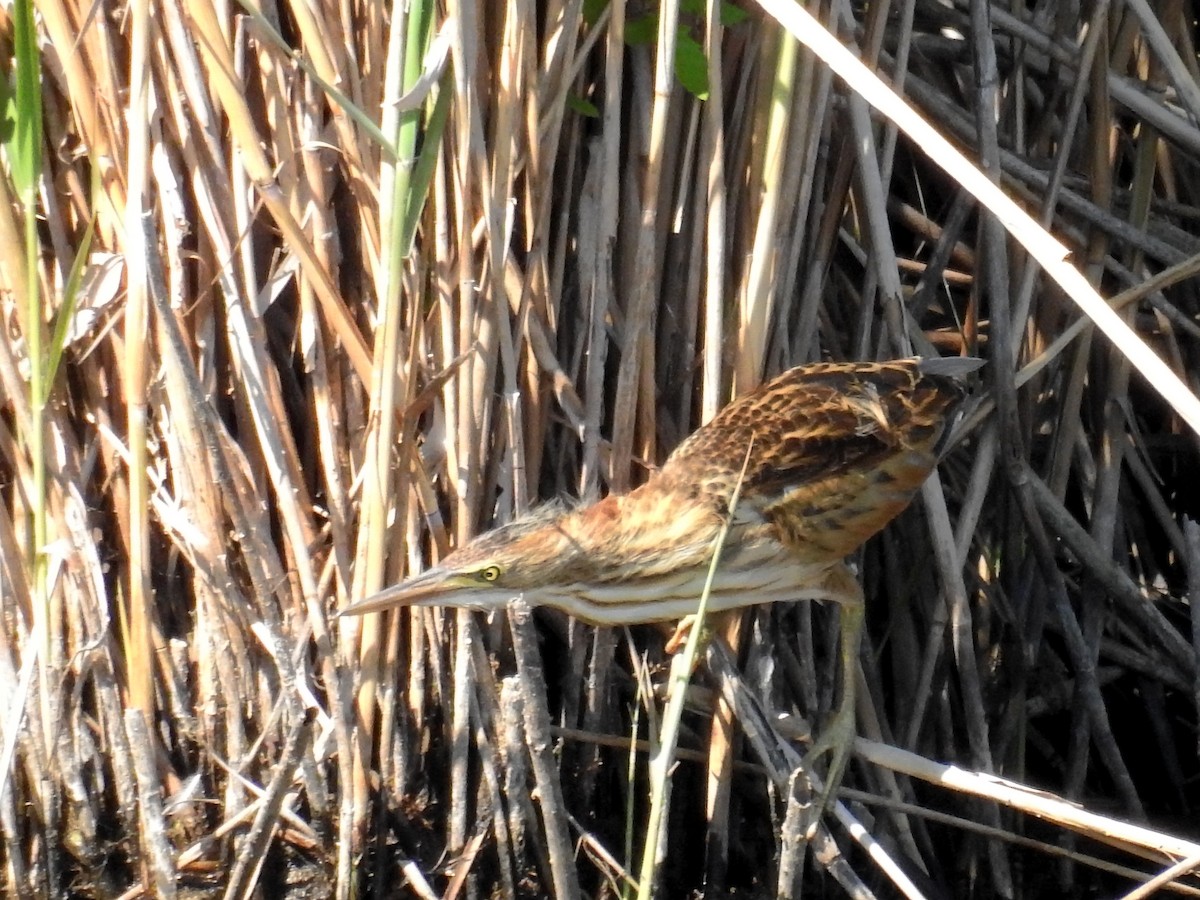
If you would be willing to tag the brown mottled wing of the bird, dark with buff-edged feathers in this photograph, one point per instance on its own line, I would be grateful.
(838, 448)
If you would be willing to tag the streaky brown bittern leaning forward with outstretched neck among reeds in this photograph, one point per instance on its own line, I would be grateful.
(823, 458)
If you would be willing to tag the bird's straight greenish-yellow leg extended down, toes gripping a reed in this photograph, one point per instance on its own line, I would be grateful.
(837, 737)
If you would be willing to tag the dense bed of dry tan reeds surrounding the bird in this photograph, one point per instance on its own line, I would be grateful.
(299, 297)
